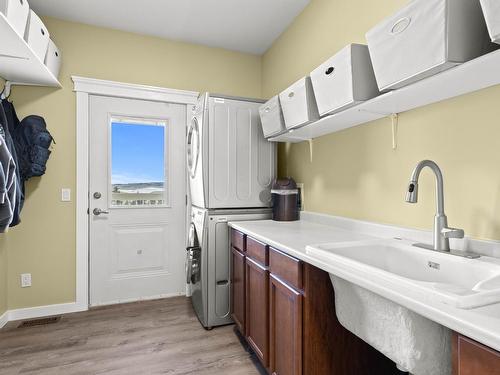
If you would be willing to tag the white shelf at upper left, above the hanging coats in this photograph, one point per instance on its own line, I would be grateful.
(18, 63)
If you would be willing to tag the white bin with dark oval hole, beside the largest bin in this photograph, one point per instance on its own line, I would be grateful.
(344, 80)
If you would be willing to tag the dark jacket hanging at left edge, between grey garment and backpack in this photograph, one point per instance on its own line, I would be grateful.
(9, 122)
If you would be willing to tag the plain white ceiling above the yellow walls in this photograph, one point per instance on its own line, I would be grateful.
(239, 25)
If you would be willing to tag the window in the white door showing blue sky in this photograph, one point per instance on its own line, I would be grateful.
(138, 163)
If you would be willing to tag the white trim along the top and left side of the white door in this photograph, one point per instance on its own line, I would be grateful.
(85, 88)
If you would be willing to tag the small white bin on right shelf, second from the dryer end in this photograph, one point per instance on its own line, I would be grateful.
(298, 104)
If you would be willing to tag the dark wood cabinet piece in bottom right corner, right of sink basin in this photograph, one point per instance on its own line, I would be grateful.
(472, 358)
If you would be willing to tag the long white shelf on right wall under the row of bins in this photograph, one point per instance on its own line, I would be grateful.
(471, 76)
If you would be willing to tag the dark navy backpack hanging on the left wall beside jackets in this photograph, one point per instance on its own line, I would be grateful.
(32, 141)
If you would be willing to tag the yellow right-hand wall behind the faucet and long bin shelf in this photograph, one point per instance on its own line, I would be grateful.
(355, 173)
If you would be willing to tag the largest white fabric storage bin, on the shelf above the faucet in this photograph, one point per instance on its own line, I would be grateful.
(424, 38)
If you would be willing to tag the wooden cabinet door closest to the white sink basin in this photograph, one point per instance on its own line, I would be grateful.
(285, 329)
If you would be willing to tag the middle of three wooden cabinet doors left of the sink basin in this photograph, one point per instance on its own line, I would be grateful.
(257, 309)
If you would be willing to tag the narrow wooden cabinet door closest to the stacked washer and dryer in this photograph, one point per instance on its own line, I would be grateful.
(238, 289)
